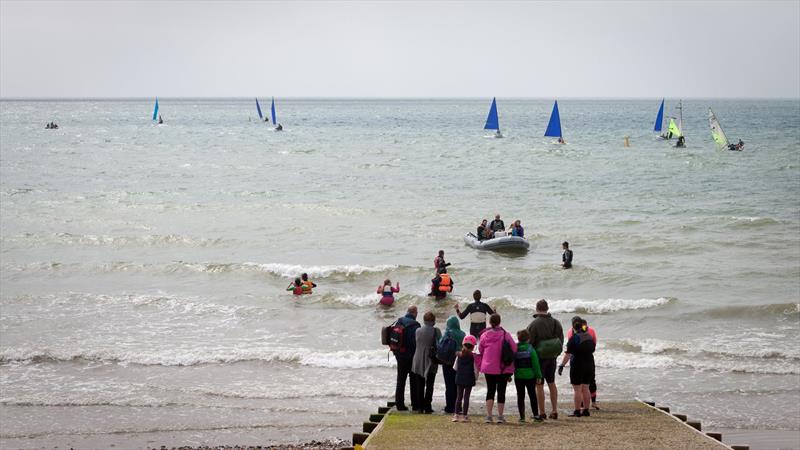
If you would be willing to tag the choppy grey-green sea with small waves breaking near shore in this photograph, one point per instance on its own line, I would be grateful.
(143, 267)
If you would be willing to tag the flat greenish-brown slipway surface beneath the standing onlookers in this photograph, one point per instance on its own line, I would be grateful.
(619, 425)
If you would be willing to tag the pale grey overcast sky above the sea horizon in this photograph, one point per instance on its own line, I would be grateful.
(628, 49)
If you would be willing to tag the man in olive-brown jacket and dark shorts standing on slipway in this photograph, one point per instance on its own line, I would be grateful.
(547, 337)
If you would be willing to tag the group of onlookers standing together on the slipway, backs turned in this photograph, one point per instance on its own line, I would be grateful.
(531, 361)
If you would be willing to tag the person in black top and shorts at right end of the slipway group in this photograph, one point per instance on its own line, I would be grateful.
(580, 354)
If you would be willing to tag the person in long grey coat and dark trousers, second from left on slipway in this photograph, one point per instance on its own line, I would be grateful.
(424, 366)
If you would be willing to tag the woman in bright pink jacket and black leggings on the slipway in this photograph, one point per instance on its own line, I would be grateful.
(497, 374)
